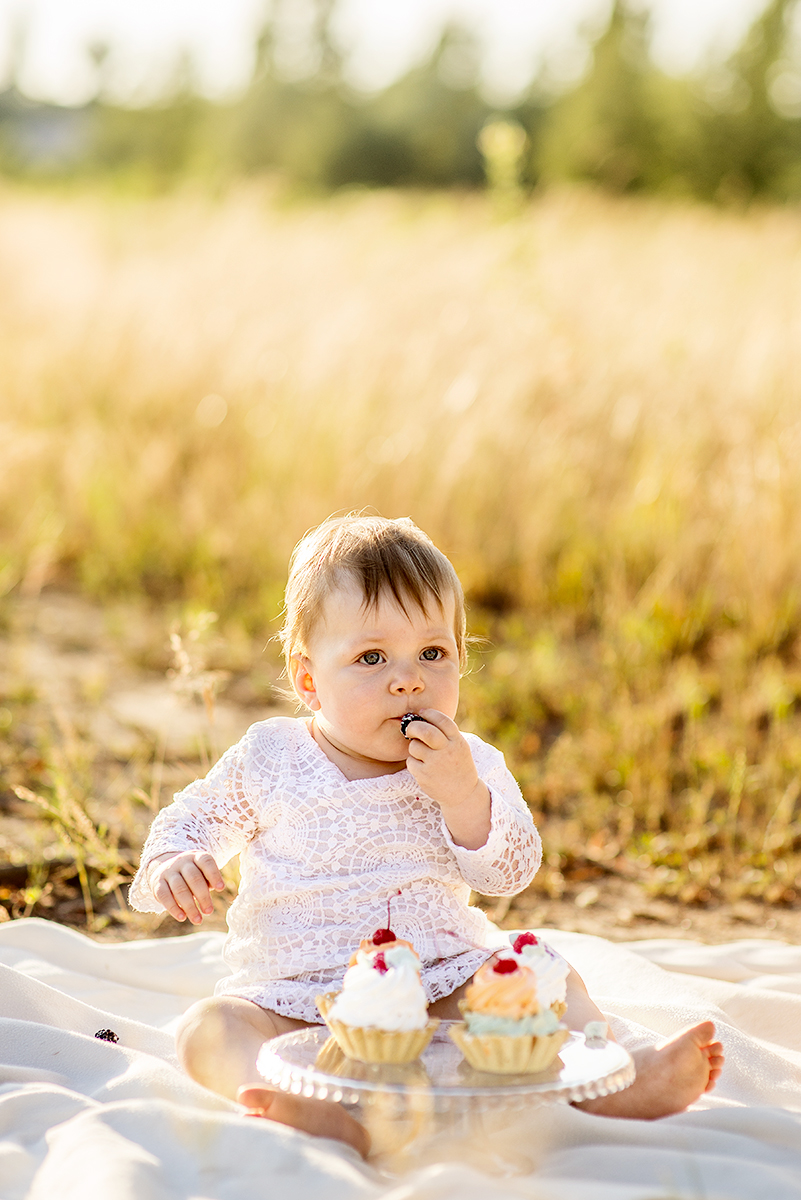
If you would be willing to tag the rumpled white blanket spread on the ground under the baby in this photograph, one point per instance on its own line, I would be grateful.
(88, 1120)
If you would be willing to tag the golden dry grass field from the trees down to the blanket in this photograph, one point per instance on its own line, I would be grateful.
(593, 407)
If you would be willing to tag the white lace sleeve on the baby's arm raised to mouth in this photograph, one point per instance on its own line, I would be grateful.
(511, 856)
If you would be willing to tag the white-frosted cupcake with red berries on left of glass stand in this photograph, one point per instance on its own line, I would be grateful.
(381, 1015)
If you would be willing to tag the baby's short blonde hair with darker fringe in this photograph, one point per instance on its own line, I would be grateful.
(383, 556)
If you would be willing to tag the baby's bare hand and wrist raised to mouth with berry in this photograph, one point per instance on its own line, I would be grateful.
(441, 760)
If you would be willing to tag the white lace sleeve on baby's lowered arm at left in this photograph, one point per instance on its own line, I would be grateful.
(215, 814)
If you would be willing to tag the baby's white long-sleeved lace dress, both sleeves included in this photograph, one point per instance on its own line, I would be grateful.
(321, 856)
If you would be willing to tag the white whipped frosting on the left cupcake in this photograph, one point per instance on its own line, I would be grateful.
(392, 1000)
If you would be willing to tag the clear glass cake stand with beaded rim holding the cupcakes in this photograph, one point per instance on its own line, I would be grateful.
(439, 1099)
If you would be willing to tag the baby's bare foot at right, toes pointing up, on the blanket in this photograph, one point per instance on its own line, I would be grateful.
(671, 1076)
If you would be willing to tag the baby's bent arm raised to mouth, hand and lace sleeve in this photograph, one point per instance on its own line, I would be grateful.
(486, 821)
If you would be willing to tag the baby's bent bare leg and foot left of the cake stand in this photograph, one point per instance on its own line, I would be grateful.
(219, 1042)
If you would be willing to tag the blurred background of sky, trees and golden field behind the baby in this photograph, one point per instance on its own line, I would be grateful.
(531, 274)
